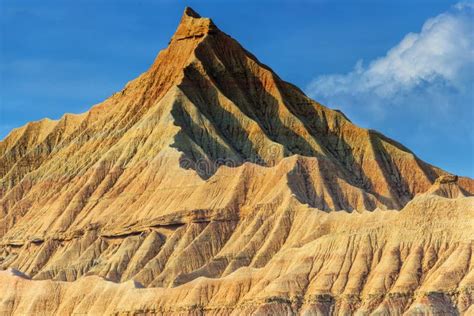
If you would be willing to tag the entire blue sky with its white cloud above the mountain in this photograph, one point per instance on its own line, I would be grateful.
(404, 68)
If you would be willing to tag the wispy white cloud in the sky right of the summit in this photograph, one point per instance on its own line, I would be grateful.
(437, 61)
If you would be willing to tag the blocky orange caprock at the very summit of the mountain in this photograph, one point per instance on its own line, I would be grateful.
(192, 25)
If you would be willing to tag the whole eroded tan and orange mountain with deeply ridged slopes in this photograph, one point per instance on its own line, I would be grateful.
(209, 185)
